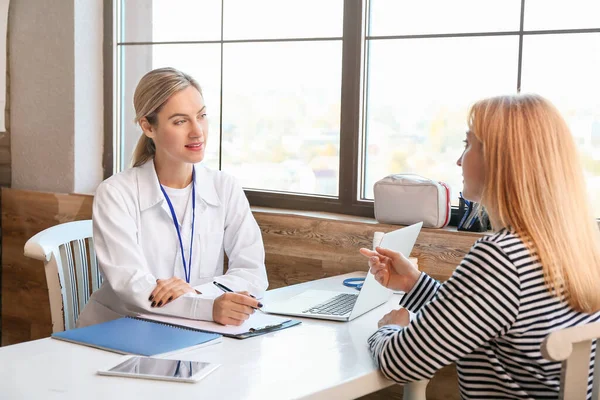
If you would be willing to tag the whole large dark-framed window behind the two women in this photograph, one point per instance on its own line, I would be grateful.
(311, 102)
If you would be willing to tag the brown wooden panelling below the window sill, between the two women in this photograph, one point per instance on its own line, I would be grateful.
(298, 247)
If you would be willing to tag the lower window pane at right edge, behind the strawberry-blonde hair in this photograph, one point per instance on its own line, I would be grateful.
(564, 69)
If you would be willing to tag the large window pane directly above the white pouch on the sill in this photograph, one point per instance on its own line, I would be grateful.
(418, 102)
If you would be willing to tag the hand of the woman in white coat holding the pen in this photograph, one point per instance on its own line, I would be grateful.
(234, 308)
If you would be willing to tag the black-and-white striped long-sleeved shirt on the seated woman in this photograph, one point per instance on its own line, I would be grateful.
(490, 318)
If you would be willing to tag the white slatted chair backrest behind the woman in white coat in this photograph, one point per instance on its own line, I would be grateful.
(72, 274)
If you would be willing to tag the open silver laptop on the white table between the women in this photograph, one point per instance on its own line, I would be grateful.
(343, 306)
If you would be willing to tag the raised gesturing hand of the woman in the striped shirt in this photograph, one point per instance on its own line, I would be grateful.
(392, 269)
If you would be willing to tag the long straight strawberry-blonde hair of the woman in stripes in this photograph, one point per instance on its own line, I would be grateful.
(534, 184)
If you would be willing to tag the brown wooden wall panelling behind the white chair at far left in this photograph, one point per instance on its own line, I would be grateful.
(25, 307)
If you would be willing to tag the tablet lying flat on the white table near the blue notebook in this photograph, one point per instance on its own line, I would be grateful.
(161, 369)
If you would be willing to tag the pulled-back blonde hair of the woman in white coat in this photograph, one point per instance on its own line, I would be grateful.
(151, 93)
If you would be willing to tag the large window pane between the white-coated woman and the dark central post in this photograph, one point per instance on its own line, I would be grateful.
(281, 115)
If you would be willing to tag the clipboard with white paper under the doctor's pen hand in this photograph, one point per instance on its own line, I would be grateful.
(258, 324)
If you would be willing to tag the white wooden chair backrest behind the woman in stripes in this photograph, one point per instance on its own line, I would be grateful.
(572, 346)
